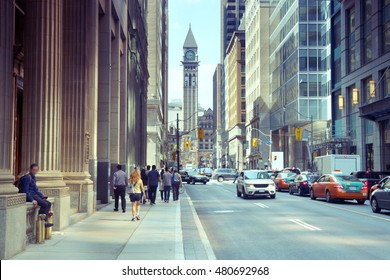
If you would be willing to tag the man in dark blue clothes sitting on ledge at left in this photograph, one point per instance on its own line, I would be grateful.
(29, 187)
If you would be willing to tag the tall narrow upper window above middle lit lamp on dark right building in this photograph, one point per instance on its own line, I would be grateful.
(351, 39)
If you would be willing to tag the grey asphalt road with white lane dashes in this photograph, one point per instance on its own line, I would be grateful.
(288, 227)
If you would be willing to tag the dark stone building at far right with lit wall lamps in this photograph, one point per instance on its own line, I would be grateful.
(361, 80)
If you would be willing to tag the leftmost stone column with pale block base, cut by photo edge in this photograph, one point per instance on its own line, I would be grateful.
(12, 204)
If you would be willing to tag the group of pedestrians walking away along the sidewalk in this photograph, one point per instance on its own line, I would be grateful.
(142, 187)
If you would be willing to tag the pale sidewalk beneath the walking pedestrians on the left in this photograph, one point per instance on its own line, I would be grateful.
(109, 235)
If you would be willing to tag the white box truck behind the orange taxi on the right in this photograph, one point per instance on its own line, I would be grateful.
(343, 163)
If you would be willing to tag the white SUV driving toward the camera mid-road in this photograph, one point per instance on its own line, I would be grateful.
(255, 183)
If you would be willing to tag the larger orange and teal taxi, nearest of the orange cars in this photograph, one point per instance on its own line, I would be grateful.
(340, 187)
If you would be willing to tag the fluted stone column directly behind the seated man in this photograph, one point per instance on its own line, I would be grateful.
(42, 99)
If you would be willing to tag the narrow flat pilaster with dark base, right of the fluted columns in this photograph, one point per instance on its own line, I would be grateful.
(104, 99)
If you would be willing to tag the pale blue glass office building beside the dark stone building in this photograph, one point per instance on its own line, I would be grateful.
(299, 71)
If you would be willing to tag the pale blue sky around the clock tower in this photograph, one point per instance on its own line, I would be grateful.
(204, 17)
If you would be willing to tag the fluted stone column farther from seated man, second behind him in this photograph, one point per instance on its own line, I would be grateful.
(76, 91)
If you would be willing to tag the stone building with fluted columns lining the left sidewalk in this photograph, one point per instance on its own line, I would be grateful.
(73, 91)
